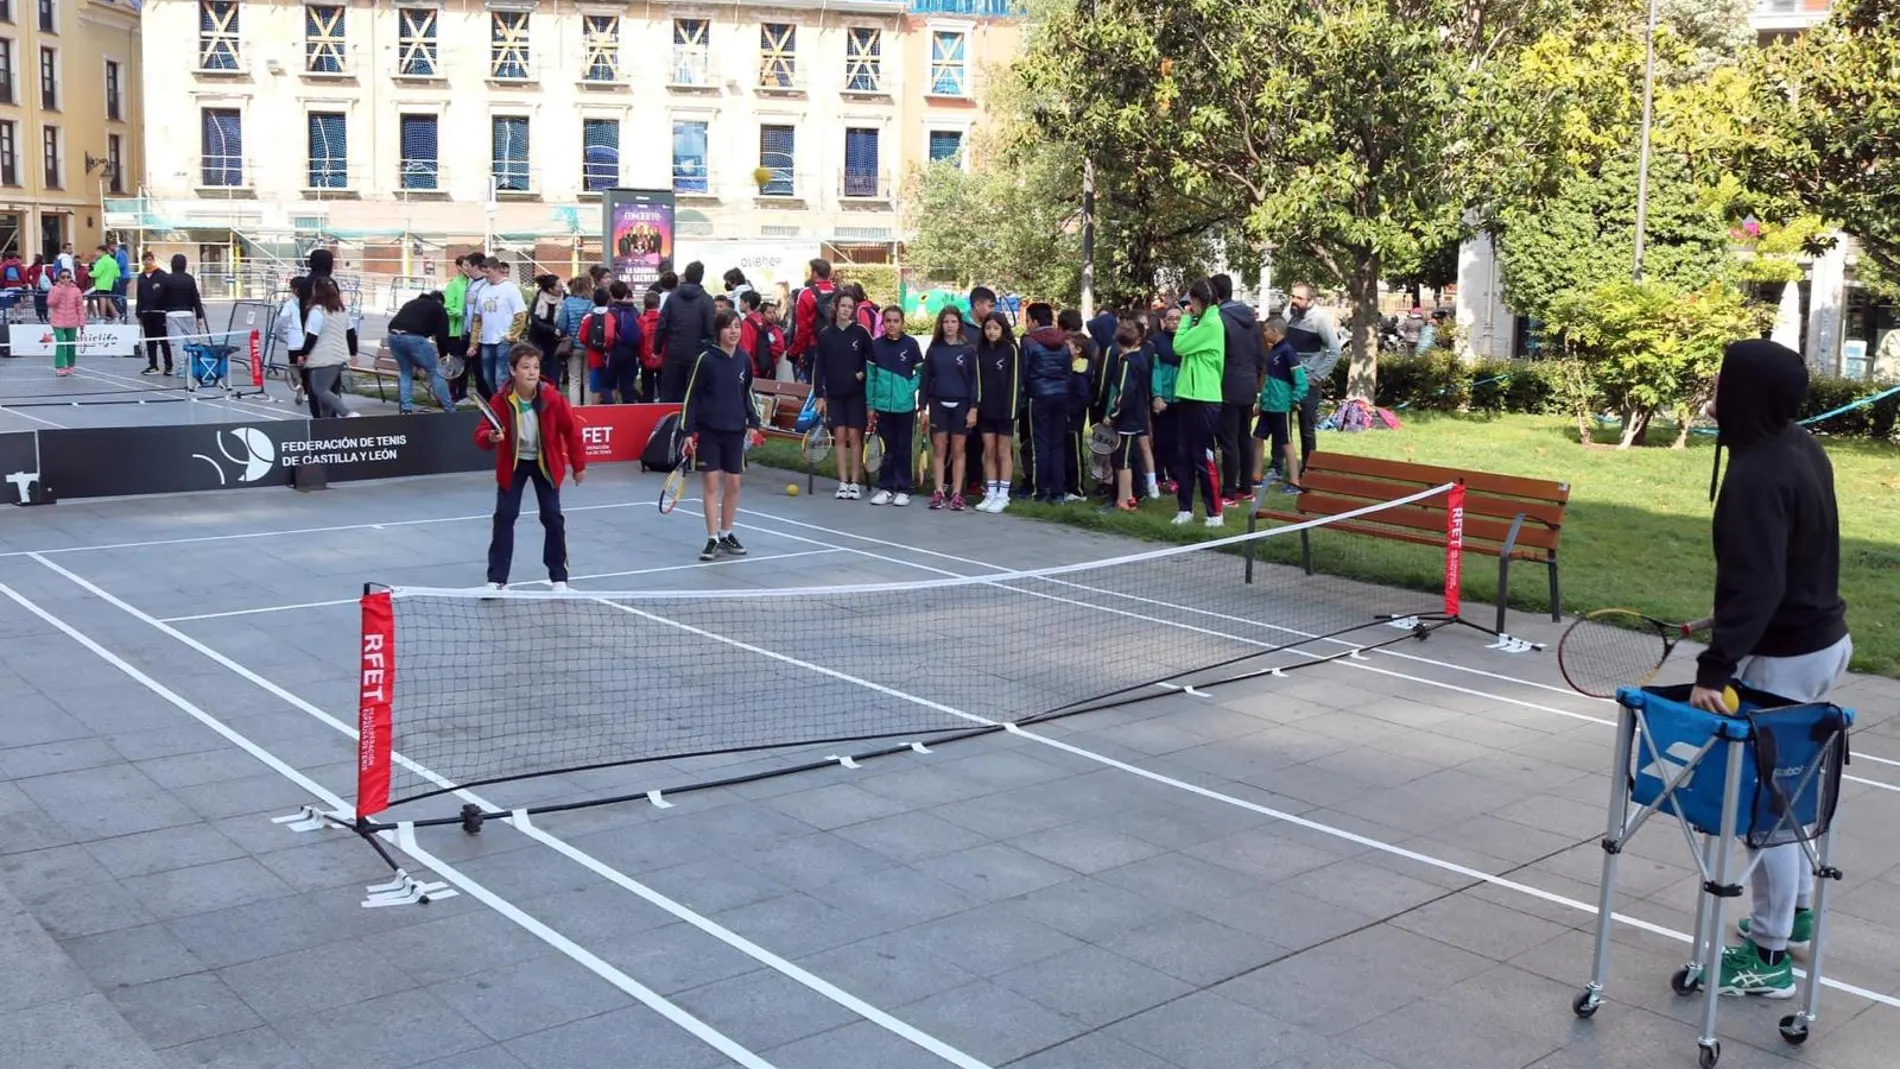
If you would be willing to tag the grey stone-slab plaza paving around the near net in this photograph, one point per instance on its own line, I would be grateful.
(1042, 901)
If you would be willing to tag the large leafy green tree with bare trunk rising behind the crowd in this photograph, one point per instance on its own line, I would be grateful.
(1363, 134)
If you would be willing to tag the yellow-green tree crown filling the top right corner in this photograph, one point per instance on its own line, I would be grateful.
(1831, 102)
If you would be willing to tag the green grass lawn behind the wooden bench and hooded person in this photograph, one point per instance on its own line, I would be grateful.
(1637, 531)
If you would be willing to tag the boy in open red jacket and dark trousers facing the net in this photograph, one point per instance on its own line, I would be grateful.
(539, 441)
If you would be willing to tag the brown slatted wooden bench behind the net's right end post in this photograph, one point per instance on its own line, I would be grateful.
(1506, 517)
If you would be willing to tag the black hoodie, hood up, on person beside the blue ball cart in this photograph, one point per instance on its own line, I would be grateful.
(1777, 531)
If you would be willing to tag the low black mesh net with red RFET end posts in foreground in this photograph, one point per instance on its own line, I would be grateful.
(468, 688)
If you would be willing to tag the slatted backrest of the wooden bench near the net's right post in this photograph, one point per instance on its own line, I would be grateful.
(1340, 483)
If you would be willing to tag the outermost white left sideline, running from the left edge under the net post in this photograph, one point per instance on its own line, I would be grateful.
(463, 882)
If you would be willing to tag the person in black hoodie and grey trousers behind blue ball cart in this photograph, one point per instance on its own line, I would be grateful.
(1779, 622)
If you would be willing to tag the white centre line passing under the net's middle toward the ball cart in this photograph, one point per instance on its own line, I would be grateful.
(1215, 795)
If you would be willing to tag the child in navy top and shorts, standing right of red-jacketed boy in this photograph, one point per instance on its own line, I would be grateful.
(721, 419)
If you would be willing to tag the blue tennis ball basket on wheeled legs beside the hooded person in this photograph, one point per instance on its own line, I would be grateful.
(1768, 776)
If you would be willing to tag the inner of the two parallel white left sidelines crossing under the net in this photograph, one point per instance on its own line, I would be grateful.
(903, 1030)
